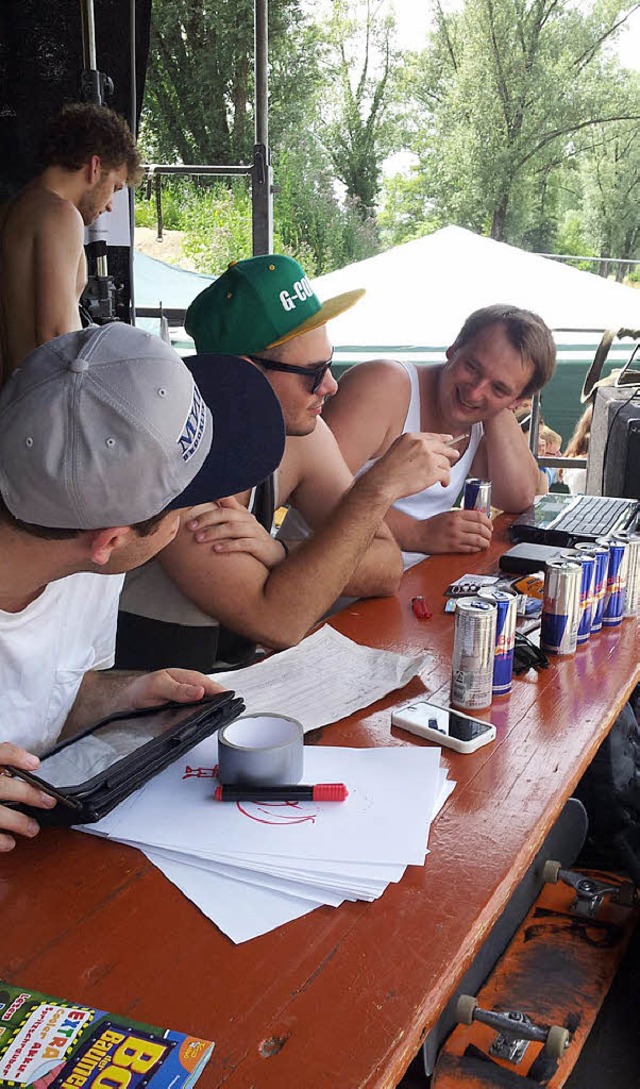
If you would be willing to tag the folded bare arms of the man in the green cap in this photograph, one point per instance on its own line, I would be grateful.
(349, 550)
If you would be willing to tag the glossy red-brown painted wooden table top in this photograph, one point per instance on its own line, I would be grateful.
(342, 997)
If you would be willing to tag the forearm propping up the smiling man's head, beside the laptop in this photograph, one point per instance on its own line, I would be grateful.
(504, 458)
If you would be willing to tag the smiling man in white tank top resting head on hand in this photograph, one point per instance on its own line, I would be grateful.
(501, 356)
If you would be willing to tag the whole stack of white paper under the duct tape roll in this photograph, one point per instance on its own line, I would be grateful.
(254, 866)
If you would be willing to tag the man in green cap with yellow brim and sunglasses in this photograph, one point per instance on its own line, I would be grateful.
(221, 568)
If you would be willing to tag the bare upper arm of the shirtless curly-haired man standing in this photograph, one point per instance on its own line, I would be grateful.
(58, 258)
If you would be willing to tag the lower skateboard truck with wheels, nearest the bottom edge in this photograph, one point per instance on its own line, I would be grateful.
(515, 1031)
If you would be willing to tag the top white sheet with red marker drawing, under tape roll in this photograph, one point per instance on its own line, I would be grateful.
(386, 818)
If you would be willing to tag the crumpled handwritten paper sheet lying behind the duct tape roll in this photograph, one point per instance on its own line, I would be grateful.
(305, 683)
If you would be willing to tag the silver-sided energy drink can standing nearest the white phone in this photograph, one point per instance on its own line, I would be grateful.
(472, 681)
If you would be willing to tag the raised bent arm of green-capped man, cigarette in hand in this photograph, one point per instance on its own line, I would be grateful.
(279, 607)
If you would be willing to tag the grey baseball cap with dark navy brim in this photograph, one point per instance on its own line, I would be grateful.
(107, 426)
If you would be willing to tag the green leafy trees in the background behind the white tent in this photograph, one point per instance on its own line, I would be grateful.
(522, 123)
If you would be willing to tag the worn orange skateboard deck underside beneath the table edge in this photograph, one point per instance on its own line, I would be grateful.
(557, 970)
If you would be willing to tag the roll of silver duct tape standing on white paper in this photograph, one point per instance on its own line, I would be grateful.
(262, 750)
